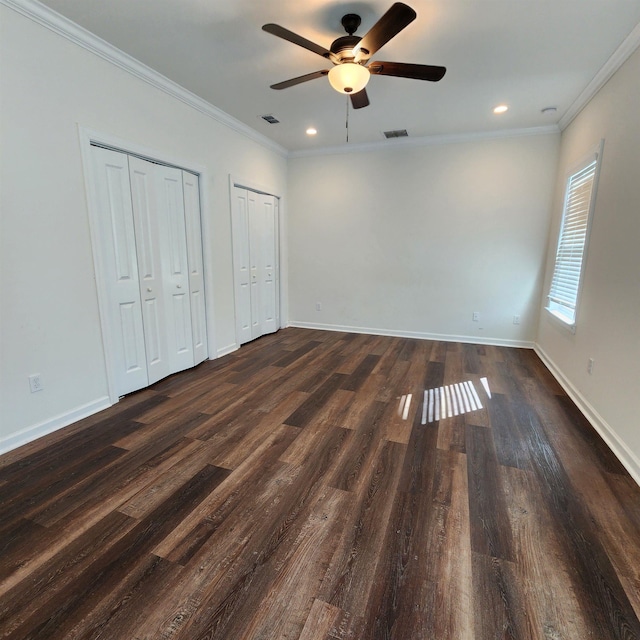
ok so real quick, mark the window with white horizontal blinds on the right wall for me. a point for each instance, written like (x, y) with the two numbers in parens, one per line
(572, 243)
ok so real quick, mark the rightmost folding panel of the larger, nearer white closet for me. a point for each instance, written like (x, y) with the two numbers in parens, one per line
(191, 191)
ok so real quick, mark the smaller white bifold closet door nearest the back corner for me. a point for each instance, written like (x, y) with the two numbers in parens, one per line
(255, 258)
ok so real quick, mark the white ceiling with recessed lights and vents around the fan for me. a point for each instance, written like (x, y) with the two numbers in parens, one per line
(530, 54)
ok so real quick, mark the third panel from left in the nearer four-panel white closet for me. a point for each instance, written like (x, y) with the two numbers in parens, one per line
(175, 269)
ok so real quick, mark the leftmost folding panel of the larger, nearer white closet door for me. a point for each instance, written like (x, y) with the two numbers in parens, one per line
(118, 258)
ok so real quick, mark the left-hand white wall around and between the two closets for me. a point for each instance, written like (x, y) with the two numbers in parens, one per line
(49, 314)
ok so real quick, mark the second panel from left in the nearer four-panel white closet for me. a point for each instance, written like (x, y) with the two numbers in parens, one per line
(147, 226)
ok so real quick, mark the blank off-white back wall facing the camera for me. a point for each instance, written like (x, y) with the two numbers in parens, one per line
(412, 240)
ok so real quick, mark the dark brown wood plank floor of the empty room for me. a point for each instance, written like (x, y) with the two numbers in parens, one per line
(294, 490)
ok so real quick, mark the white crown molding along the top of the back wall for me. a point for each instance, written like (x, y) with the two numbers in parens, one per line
(447, 138)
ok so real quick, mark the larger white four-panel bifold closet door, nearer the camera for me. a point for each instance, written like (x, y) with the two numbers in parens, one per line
(151, 249)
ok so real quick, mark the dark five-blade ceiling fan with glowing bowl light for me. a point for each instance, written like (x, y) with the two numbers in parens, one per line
(350, 55)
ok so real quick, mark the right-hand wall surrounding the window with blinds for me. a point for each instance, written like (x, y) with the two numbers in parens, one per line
(609, 316)
